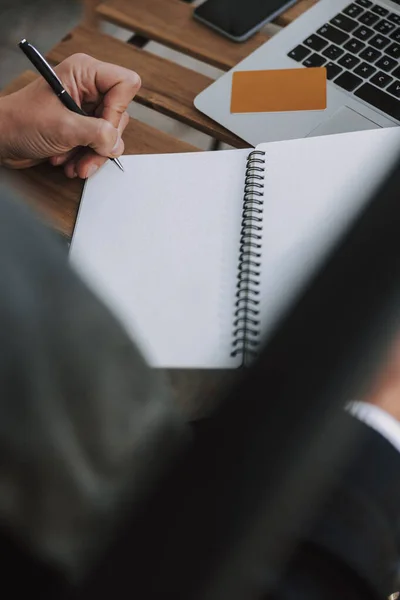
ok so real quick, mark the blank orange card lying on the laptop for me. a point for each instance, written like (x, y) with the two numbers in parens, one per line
(280, 90)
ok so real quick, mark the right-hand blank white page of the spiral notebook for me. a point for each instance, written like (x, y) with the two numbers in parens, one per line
(314, 188)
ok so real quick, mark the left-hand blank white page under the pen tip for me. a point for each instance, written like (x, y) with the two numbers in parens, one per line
(159, 243)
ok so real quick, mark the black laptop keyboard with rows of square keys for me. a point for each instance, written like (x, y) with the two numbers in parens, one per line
(360, 48)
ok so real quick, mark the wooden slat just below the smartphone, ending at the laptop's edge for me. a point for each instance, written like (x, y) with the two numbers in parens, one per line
(171, 23)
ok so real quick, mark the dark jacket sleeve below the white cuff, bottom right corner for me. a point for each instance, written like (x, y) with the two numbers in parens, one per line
(352, 549)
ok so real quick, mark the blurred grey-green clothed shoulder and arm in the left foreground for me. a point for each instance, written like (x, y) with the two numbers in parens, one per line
(85, 424)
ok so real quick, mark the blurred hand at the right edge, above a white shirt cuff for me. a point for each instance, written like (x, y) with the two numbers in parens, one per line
(385, 391)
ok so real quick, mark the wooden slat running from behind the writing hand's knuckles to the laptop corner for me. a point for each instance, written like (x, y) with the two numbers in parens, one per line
(166, 86)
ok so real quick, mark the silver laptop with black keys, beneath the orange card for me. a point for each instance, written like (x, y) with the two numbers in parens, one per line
(358, 43)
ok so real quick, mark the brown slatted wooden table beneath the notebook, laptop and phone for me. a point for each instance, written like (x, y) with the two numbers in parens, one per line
(168, 88)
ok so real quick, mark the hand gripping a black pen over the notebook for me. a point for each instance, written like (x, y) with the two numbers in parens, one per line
(35, 125)
